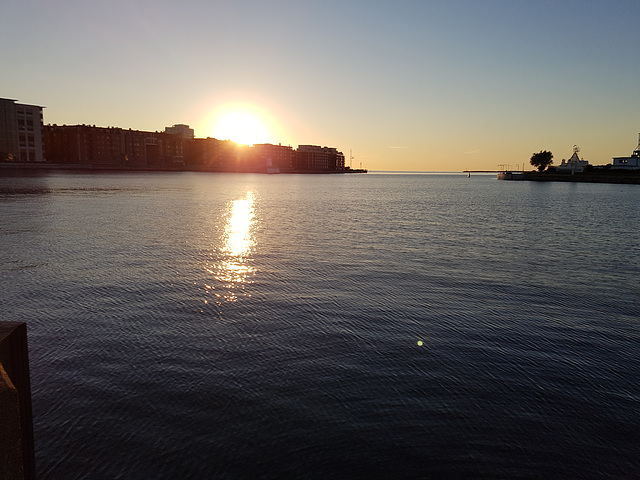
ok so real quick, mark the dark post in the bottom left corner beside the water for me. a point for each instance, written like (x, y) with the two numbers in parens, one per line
(17, 456)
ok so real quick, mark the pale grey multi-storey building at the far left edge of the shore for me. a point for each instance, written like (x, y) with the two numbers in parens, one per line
(20, 132)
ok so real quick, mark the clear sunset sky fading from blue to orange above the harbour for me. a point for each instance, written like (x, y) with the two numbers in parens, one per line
(405, 85)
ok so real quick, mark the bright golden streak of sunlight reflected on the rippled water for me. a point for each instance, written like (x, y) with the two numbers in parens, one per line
(233, 266)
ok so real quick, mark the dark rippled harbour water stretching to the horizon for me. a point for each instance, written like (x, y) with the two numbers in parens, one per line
(188, 325)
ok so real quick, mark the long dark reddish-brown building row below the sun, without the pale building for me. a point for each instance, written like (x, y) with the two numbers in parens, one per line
(115, 147)
